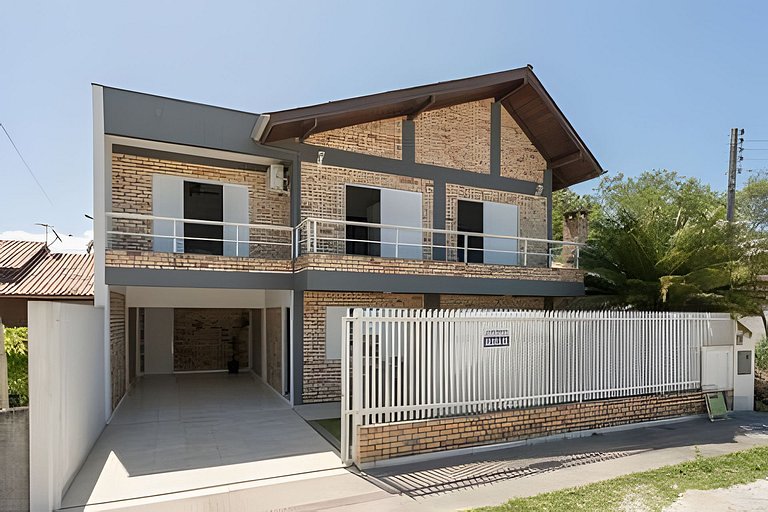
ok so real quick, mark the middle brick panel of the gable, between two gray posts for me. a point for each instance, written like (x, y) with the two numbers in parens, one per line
(458, 137)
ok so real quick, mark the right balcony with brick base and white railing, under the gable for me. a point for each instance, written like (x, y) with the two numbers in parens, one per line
(322, 244)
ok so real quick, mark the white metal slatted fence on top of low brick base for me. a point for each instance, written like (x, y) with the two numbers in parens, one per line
(402, 365)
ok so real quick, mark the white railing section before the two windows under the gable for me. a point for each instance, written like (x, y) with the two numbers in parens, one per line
(350, 237)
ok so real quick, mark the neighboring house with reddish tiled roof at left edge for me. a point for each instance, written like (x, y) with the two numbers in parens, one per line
(30, 271)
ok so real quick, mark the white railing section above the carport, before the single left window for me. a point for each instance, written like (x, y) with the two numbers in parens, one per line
(168, 234)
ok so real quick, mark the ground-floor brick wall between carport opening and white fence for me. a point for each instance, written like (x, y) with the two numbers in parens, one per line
(322, 377)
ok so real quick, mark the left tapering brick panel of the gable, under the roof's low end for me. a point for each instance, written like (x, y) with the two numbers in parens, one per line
(378, 138)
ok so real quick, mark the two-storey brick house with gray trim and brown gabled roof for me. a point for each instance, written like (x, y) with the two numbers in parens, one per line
(221, 231)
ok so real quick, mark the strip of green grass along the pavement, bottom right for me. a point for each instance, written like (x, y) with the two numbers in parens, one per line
(650, 490)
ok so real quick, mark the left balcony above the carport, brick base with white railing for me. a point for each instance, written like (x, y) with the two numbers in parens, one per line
(149, 241)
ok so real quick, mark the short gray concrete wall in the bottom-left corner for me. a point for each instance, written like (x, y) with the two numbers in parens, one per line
(14, 459)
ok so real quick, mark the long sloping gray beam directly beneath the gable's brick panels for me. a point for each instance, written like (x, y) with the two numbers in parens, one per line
(341, 158)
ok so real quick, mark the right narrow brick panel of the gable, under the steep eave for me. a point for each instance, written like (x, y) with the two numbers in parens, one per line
(519, 157)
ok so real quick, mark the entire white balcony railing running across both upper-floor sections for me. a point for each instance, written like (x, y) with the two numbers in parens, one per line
(153, 233)
